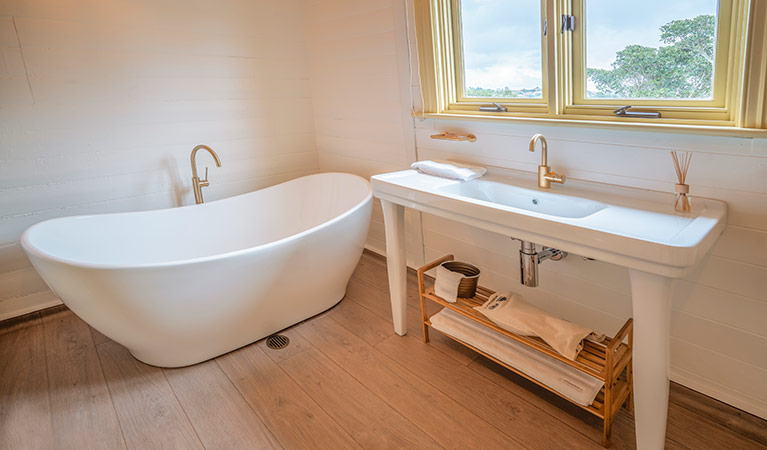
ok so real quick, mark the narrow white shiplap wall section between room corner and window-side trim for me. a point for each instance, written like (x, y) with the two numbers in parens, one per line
(356, 61)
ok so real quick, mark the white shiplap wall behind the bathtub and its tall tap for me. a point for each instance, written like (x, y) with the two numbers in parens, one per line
(101, 103)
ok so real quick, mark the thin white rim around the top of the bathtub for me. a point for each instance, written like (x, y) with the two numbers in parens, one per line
(34, 250)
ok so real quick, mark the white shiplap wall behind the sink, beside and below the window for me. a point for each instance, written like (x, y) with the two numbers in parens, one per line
(719, 323)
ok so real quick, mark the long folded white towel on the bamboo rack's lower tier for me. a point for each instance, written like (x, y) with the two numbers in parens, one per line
(568, 381)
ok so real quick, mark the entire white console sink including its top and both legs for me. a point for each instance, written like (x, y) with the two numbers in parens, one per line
(633, 228)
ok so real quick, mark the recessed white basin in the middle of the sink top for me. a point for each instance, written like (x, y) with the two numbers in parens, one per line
(529, 200)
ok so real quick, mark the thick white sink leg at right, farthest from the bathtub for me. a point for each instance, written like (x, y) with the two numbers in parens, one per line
(651, 300)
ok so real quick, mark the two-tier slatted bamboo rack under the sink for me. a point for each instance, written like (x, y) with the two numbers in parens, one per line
(609, 361)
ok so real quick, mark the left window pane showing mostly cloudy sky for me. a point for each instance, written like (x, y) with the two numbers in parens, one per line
(502, 48)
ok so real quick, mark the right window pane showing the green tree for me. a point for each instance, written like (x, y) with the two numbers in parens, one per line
(650, 49)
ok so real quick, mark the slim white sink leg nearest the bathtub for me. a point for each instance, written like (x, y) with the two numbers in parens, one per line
(394, 223)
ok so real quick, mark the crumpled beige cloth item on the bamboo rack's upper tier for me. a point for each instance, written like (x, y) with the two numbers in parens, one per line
(511, 312)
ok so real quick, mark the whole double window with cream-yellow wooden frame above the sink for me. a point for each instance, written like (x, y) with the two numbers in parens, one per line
(681, 62)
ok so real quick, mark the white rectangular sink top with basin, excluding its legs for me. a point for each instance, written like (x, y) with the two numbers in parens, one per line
(634, 228)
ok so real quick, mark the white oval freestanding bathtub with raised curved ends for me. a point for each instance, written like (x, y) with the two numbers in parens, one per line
(182, 285)
